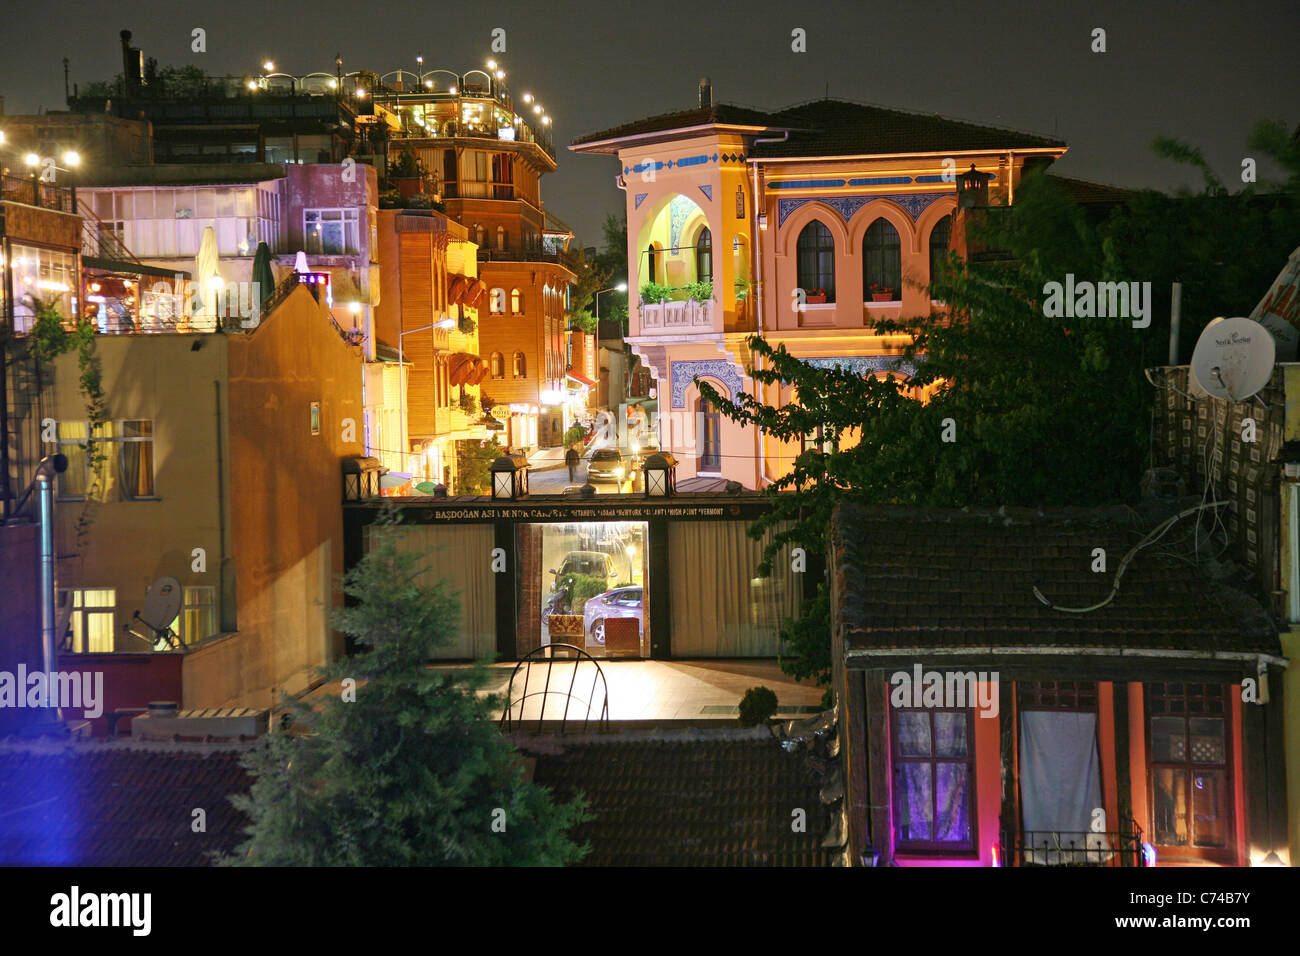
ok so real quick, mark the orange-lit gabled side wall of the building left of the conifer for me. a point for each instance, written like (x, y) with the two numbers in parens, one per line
(287, 521)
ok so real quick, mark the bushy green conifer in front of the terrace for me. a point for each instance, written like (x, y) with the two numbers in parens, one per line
(411, 773)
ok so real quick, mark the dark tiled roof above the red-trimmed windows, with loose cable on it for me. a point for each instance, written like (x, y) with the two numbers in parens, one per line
(937, 578)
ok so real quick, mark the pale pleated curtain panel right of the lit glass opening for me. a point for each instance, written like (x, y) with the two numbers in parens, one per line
(721, 608)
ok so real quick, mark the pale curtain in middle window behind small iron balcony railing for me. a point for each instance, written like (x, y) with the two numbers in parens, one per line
(1060, 788)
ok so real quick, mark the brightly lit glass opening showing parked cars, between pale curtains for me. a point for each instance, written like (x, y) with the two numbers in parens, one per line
(584, 585)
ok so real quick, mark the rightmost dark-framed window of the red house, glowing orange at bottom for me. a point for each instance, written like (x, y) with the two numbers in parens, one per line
(1190, 773)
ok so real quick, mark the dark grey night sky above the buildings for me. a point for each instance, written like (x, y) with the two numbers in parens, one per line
(1199, 71)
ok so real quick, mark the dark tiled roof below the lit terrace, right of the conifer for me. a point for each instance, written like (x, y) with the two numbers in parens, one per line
(708, 802)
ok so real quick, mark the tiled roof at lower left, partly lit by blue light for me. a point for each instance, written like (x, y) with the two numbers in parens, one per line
(118, 804)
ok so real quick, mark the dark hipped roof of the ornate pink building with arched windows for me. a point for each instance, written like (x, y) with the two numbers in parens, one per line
(839, 128)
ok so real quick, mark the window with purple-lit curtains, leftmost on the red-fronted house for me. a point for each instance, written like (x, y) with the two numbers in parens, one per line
(934, 776)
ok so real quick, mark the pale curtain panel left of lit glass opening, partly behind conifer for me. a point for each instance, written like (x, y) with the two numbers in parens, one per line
(462, 556)
